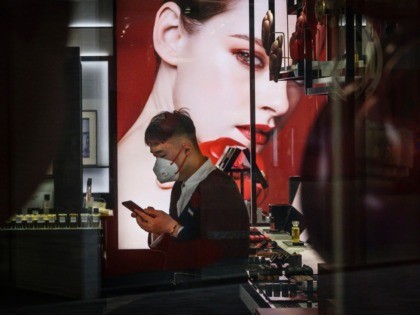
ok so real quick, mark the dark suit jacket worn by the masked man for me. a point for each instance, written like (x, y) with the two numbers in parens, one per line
(215, 226)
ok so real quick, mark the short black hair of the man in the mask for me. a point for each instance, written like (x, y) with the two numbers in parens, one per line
(168, 124)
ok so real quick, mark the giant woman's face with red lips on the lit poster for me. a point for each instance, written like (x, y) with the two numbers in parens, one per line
(213, 79)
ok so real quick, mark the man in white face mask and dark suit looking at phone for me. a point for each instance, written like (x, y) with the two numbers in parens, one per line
(208, 226)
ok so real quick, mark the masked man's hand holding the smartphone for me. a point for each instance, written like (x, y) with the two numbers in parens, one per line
(154, 221)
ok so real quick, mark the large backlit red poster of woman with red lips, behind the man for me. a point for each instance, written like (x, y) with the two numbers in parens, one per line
(171, 56)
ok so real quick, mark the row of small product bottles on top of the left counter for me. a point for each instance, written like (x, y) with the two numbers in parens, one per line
(55, 221)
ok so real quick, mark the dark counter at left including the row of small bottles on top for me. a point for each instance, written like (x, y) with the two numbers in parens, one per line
(57, 254)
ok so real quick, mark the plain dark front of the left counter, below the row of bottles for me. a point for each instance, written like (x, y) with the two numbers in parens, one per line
(62, 262)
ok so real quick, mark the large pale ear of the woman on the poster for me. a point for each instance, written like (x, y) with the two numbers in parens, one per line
(167, 32)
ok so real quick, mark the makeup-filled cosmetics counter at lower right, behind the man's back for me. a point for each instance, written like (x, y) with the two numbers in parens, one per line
(282, 274)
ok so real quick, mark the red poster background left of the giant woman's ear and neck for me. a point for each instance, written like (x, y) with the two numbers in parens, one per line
(136, 61)
